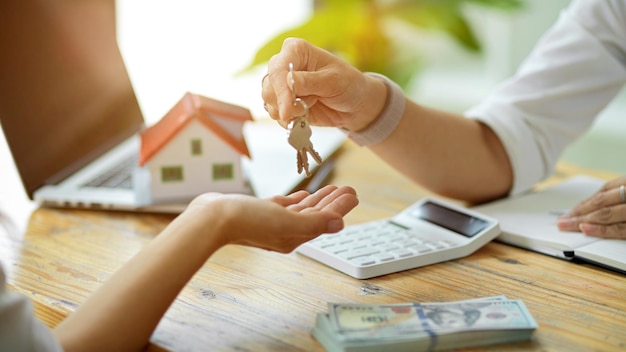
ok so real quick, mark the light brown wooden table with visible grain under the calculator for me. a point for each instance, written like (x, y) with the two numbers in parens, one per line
(248, 299)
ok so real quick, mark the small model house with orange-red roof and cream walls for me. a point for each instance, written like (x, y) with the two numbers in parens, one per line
(196, 147)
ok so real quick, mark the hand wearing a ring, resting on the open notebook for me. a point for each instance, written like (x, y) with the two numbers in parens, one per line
(601, 215)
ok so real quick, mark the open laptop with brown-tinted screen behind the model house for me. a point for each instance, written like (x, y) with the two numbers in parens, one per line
(71, 119)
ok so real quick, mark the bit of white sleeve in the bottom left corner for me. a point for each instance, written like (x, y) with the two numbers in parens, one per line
(19, 328)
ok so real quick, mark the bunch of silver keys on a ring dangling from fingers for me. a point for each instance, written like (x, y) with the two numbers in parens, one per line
(300, 133)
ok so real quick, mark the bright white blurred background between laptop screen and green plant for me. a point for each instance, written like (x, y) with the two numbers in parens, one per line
(171, 47)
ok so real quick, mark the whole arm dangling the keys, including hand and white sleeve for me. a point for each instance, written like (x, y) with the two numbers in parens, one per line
(519, 131)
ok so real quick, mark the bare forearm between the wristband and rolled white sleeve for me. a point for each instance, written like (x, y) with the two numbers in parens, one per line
(448, 154)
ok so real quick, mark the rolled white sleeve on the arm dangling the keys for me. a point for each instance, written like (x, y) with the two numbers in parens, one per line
(575, 70)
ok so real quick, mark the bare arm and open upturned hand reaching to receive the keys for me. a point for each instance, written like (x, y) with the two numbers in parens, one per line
(122, 314)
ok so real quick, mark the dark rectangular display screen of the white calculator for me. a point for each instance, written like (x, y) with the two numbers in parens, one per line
(461, 223)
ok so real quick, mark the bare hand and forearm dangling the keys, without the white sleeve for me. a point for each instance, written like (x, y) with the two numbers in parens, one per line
(445, 152)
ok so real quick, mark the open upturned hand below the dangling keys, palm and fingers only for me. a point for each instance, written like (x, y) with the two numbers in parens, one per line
(281, 223)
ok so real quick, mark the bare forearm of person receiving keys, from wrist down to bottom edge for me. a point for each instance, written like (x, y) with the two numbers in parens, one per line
(122, 314)
